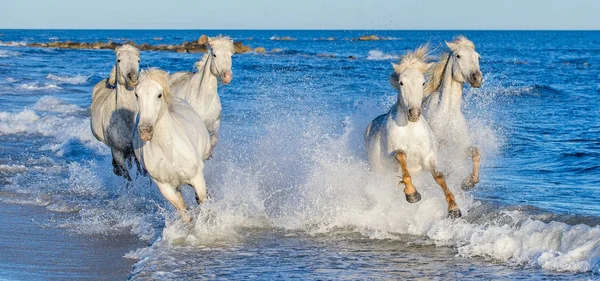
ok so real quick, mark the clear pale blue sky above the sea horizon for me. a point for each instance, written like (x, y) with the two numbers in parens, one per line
(301, 14)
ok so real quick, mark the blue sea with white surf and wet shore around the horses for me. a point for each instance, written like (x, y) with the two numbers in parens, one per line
(293, 196)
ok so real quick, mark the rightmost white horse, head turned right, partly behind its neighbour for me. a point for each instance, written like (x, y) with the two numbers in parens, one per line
(443, 106)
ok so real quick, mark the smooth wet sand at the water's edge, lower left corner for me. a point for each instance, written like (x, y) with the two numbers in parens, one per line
(32, 251)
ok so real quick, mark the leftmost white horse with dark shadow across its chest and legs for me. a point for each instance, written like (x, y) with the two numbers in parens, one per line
(113, 108)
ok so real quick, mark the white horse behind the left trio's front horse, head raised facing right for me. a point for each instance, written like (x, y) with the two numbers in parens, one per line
(200, 89)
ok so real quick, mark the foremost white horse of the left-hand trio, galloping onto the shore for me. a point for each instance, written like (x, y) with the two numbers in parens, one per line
(171, 140)
